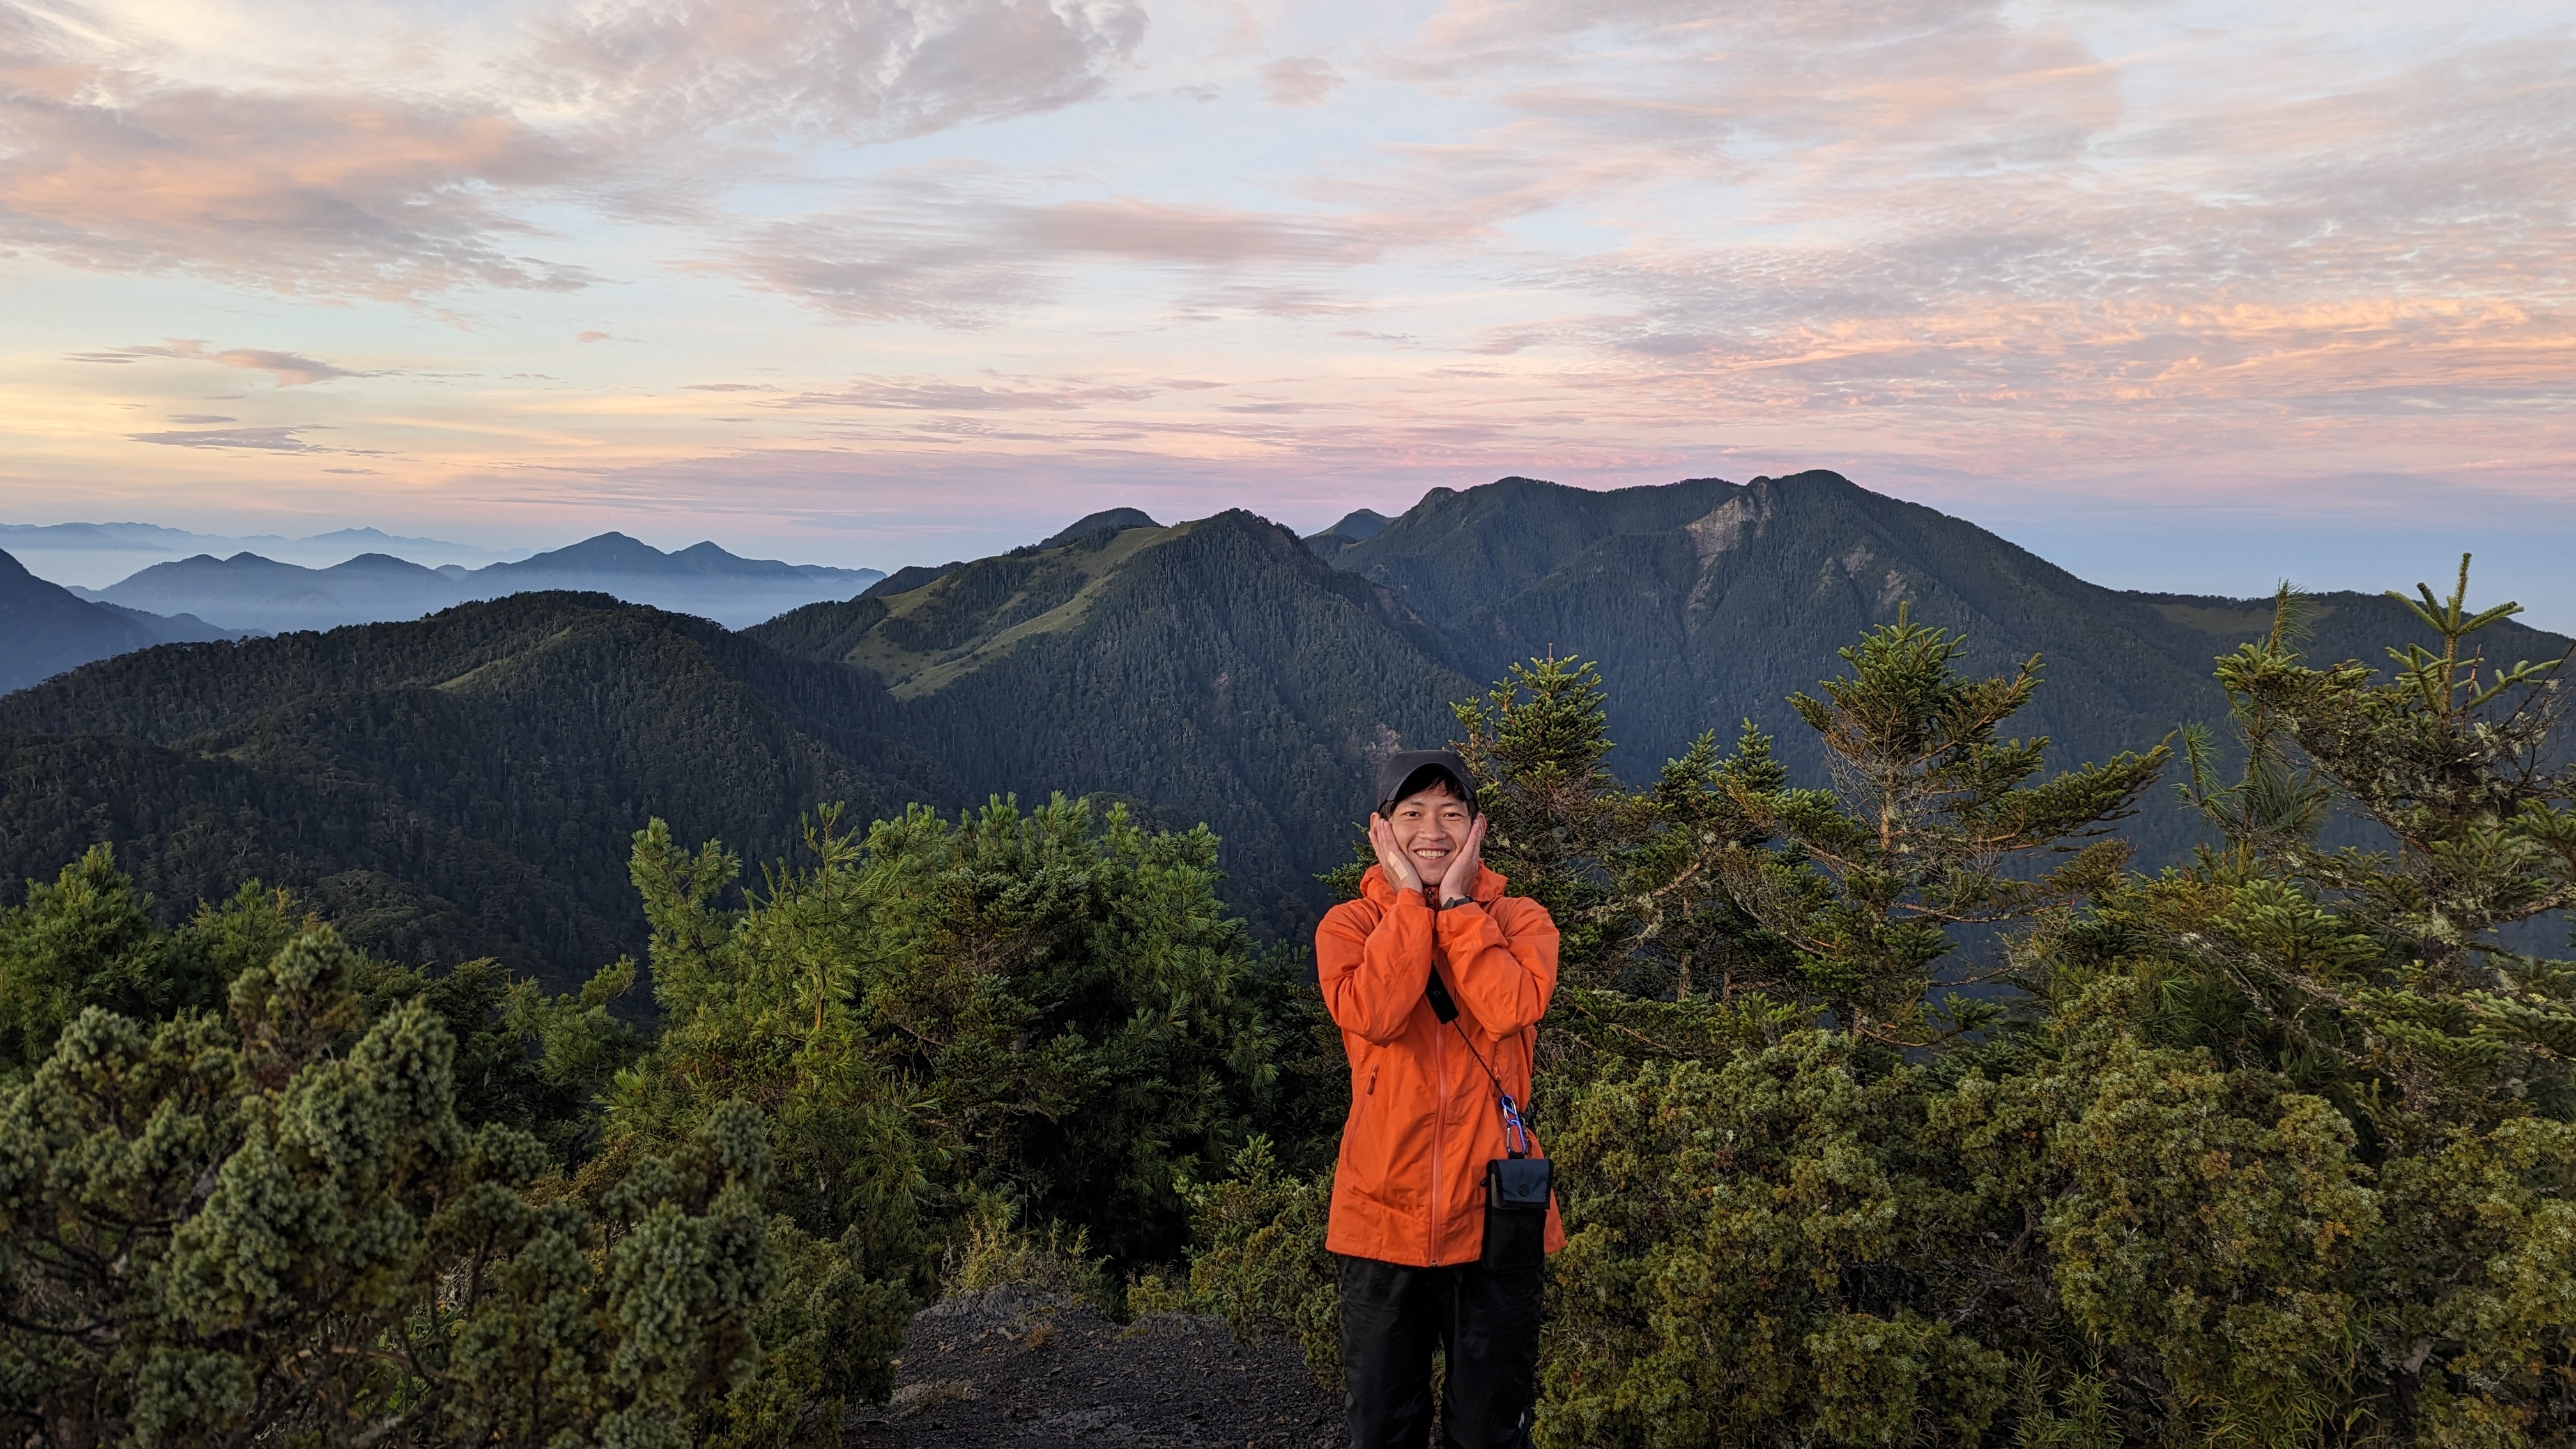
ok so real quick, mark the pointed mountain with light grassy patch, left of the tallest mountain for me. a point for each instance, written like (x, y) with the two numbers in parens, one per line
(1209, 672)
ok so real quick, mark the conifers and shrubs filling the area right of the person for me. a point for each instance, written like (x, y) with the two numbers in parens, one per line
(1905, 1113)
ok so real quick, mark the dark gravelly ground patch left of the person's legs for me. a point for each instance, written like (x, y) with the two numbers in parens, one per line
(1011, 1368)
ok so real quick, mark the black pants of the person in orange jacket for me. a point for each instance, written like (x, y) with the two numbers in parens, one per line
(1392, 1316)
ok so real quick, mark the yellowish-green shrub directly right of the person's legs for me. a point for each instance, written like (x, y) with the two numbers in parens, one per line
(1753, 1257)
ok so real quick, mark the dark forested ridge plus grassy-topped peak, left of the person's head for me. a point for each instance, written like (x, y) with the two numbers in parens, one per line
(468, 783)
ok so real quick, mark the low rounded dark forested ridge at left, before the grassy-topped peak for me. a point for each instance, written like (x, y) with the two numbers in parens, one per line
(468, 783)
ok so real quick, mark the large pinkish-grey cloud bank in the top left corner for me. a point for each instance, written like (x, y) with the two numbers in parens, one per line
(380, 192)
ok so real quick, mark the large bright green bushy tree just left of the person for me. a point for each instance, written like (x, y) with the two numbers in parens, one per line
(1037, 1009)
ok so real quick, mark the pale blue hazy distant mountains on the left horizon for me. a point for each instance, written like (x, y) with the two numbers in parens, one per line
(254, 592)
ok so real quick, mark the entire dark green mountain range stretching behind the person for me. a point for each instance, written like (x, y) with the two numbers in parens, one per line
(468, 783)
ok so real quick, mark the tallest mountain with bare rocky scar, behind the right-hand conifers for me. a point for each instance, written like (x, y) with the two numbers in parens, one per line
(1709, 602)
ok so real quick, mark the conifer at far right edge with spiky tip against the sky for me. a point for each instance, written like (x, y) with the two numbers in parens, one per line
(2461, 764)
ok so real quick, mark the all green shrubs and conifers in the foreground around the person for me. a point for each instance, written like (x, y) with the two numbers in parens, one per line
(1889, 1107)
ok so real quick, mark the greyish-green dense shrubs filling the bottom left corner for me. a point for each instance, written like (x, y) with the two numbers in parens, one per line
(277, 1226)
